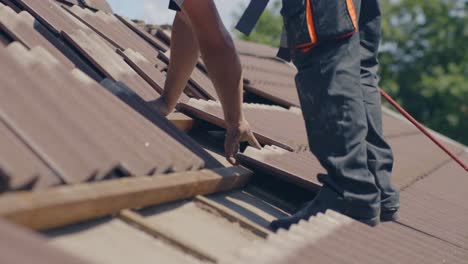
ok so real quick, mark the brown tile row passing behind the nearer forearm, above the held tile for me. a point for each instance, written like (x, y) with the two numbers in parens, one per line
(272, 125)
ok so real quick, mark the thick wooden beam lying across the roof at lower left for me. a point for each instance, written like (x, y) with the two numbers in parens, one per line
(67, 205)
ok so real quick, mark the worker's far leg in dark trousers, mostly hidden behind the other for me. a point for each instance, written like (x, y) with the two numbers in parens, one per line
(379, 153)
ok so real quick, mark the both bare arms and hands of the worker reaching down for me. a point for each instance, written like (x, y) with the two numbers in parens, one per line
(223, 65)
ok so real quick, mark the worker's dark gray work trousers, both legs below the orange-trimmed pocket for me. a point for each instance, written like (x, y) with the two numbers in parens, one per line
(338, 87)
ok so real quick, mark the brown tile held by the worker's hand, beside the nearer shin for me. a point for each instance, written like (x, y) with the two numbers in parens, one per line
(300, 168)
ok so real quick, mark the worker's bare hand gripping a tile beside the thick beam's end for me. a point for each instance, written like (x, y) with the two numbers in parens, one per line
(235, 134)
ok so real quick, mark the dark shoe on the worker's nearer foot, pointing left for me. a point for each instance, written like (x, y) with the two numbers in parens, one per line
(325, 200)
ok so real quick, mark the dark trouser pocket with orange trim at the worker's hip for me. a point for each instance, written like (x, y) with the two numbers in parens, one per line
(310, 22)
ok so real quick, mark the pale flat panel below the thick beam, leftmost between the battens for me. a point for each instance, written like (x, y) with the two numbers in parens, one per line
(112, 241)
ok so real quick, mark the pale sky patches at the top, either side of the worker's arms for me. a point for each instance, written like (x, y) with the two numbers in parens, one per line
(156, 12)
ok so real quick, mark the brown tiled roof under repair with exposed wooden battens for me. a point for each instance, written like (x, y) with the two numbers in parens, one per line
(93, 175)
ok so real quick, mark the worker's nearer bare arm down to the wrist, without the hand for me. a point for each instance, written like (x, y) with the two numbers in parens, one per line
(219, 54)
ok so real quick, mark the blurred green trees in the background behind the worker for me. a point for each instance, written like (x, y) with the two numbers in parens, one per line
(424, 58)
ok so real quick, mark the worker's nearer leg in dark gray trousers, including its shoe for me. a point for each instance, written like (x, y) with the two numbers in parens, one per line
(332, 100)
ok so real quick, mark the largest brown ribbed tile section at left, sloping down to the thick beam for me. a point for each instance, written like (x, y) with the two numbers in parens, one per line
(70, 122)
